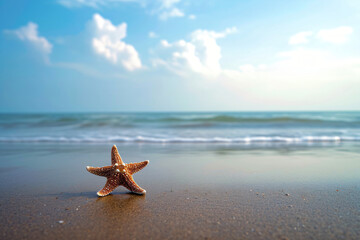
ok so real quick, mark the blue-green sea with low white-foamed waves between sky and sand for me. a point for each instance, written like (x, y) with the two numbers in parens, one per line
(226, 127)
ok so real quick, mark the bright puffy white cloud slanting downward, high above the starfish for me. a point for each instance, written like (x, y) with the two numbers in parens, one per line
(107, 42)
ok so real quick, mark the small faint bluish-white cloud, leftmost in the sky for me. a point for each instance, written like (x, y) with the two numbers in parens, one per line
(29, 33)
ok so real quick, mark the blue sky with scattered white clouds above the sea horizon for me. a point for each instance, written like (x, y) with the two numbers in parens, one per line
(178, 55)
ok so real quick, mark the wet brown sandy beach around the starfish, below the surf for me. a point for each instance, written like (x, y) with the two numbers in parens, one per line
(193, 191)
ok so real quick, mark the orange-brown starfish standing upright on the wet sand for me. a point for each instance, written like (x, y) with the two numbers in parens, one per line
(118, 174)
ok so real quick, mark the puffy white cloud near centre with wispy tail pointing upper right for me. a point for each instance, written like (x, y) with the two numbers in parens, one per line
(201, 54)
